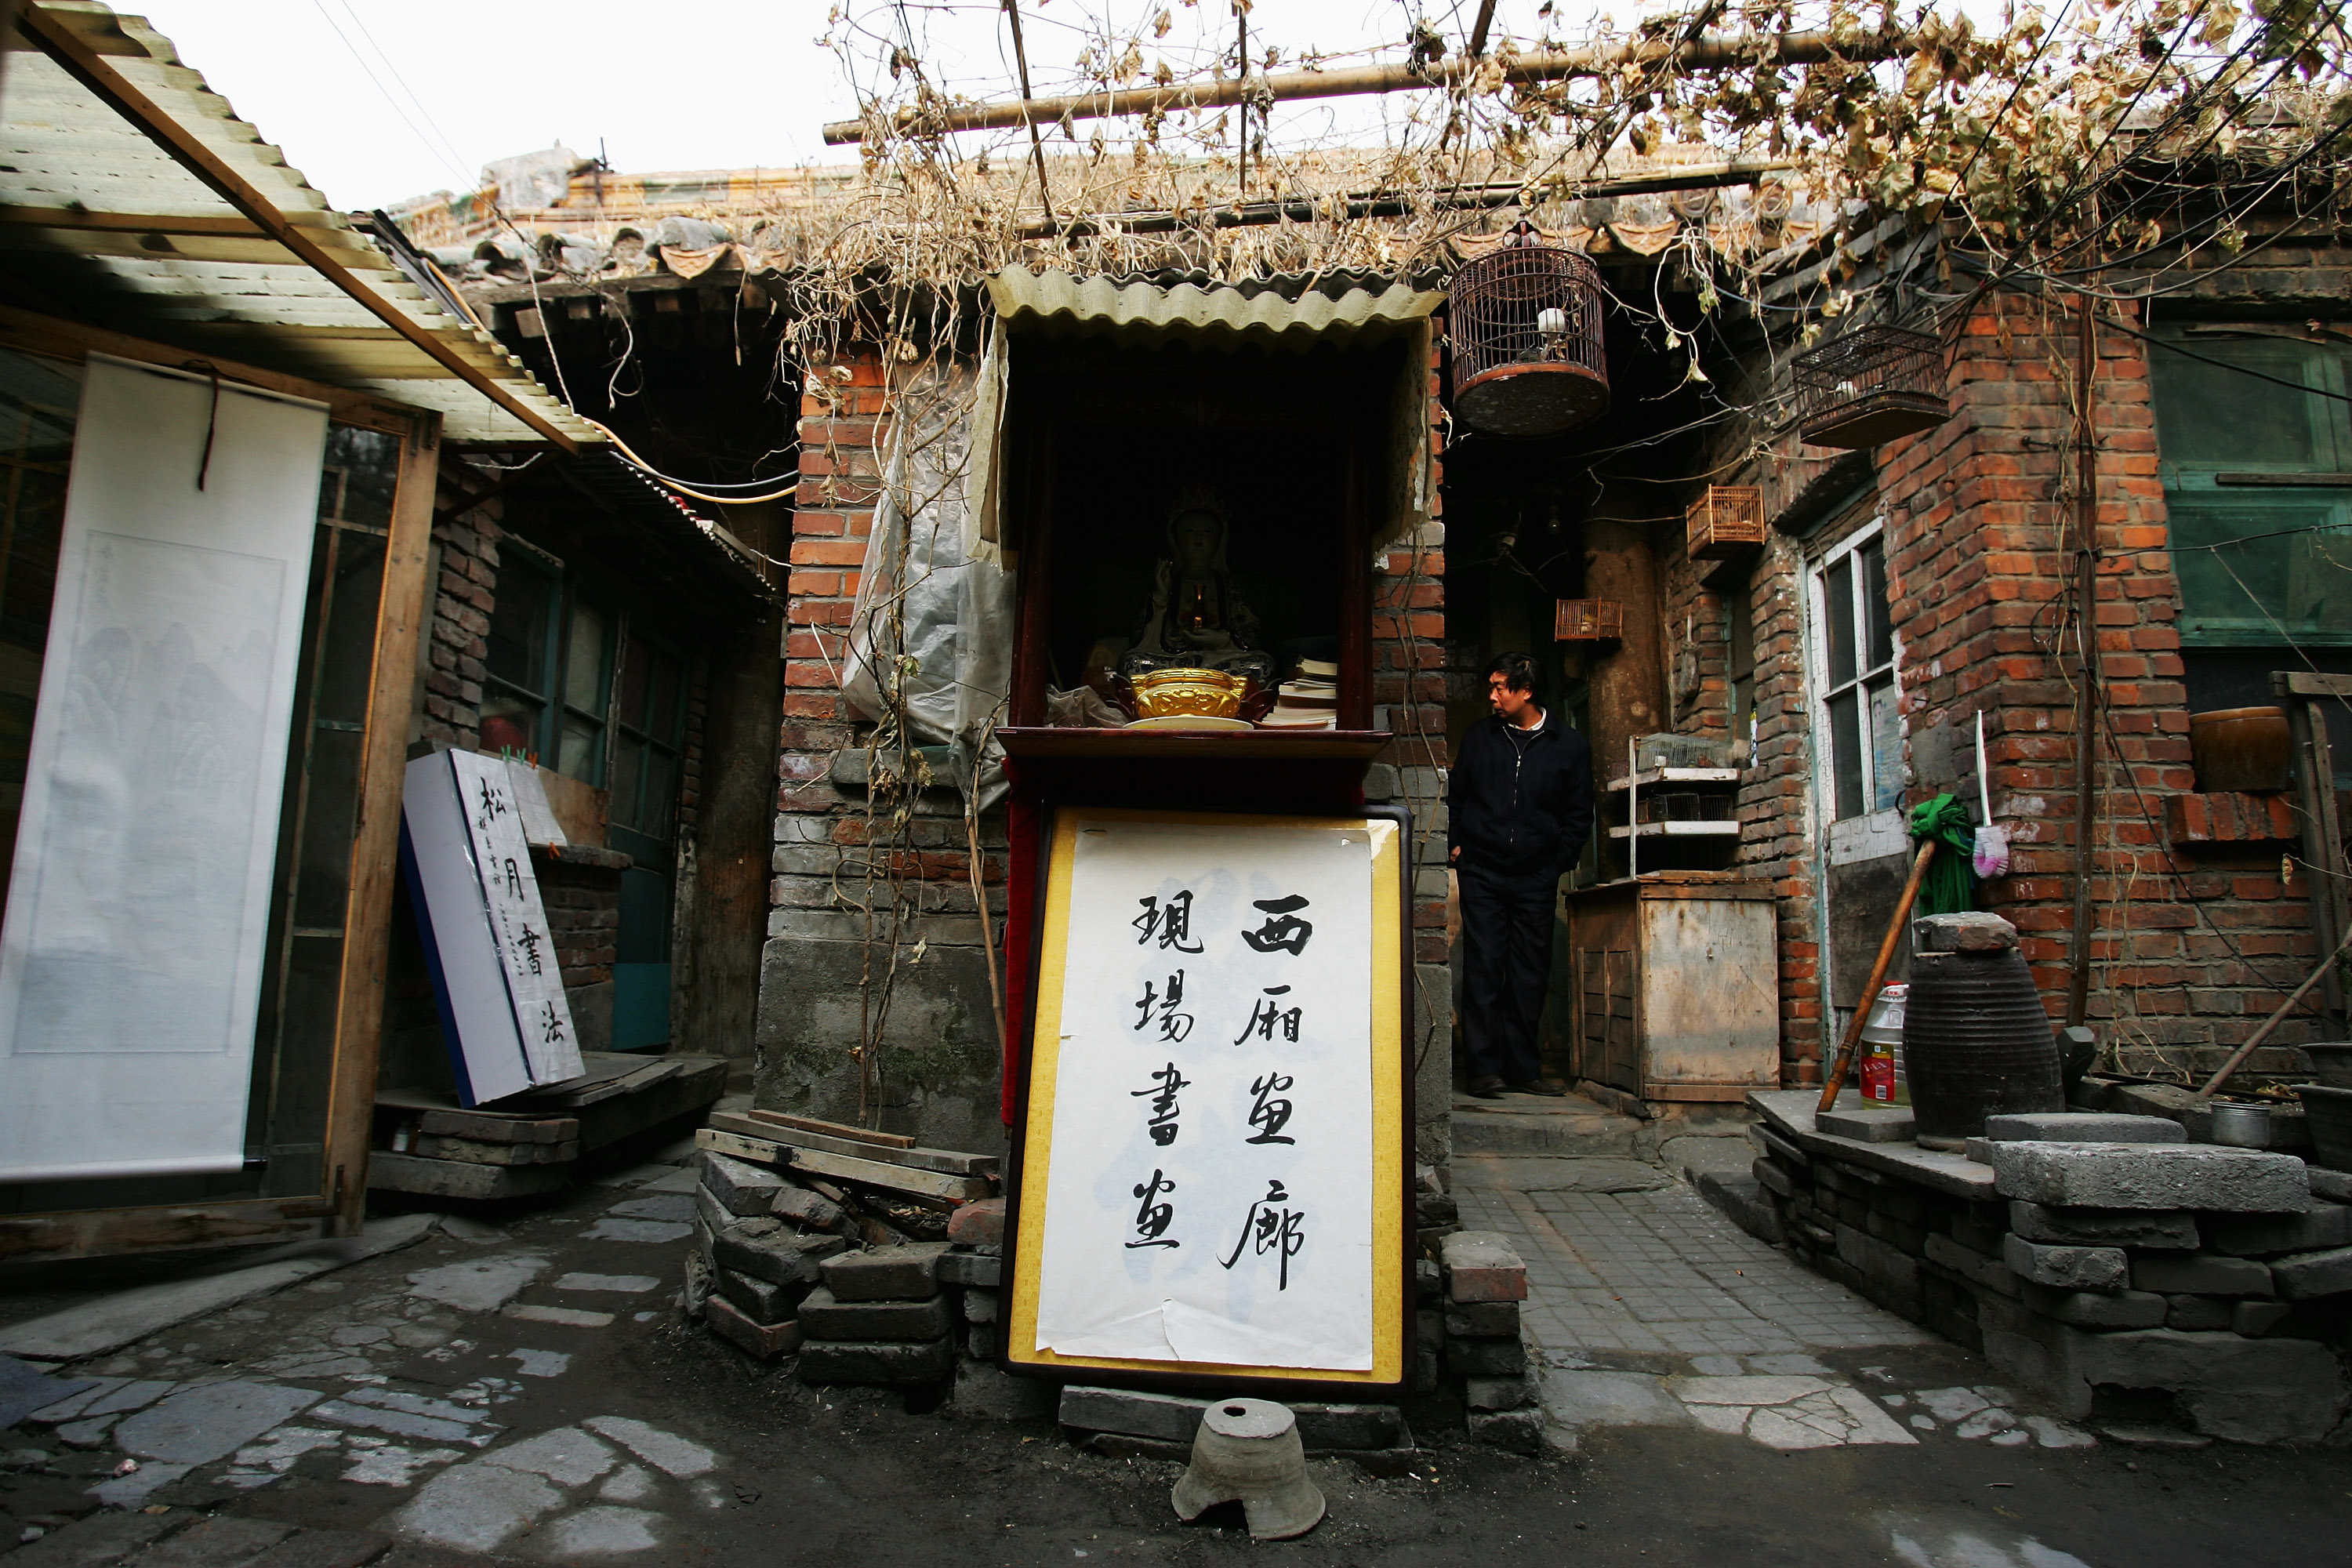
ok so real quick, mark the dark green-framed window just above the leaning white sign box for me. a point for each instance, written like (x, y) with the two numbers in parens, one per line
(549, 671)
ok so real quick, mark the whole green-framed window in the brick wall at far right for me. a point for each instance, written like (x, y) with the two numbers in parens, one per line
(2254, 436)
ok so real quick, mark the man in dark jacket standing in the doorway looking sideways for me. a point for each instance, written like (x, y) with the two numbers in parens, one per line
(1518, 817)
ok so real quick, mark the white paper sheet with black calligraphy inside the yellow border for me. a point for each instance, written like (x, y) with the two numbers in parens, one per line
(1210, 1195)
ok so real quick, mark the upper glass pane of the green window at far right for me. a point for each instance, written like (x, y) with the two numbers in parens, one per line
(2219, 417)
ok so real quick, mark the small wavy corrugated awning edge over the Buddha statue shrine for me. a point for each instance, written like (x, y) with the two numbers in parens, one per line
(1215, 309)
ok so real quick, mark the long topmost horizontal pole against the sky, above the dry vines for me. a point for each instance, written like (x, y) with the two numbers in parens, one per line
(1523, 69)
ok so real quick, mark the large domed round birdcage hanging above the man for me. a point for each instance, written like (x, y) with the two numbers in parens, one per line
(1528, 340)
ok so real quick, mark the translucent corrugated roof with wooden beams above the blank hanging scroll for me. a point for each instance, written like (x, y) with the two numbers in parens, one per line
(102, 222)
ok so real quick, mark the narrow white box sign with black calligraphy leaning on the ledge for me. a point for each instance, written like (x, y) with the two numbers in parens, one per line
(495, 974)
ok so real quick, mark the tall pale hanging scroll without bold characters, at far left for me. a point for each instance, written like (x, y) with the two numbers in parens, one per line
(140, 897)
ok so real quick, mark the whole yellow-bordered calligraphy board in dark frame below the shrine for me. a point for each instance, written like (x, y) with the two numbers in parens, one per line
(1212, 1167)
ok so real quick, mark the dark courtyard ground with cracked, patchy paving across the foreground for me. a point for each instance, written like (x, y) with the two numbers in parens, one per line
(526, 1393)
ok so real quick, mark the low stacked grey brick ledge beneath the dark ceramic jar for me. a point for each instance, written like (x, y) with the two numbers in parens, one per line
(2137, 1278)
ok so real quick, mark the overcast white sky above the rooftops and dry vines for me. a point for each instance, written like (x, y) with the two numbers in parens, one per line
(686, 86)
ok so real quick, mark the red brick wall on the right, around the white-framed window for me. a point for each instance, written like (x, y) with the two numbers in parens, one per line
(1979, 537)
